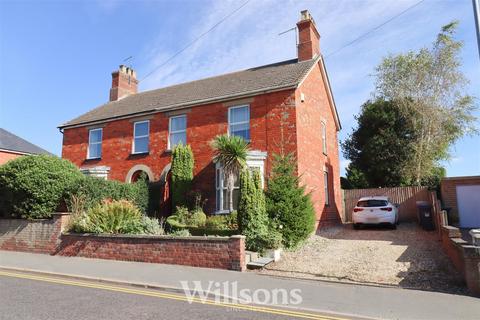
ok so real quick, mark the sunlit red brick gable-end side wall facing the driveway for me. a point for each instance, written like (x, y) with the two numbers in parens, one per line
(312, 161)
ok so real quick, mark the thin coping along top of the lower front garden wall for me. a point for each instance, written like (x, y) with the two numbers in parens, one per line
(152, 237)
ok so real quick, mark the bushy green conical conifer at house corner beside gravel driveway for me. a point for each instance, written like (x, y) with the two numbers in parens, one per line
(290, 208)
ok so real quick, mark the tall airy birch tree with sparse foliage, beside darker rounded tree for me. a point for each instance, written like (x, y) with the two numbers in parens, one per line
(430, 82)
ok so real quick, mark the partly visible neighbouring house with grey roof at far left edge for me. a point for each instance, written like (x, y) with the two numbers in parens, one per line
(12, 146)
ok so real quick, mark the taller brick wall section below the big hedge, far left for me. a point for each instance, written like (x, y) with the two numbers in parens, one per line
(40, 236)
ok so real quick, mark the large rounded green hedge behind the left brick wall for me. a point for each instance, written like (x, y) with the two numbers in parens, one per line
(33, 187)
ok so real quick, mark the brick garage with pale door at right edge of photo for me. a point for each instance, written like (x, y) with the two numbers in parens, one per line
(461, 195)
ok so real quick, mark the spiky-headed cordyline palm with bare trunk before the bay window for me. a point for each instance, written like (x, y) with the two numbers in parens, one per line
(231, 153)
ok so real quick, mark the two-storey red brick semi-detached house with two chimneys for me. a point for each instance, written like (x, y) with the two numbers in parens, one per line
(282, 107)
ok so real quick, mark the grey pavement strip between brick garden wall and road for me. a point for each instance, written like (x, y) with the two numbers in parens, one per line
(346, 300)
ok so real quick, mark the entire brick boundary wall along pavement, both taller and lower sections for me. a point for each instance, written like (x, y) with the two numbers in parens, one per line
(47, 236)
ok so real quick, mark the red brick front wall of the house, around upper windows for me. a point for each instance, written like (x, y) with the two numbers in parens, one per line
(272, 126)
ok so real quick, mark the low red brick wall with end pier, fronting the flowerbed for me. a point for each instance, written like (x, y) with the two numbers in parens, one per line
(212, 252)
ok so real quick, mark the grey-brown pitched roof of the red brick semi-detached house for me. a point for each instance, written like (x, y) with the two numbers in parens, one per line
(251, 81)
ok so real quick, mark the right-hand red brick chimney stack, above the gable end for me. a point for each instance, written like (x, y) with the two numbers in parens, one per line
(308, 36)
